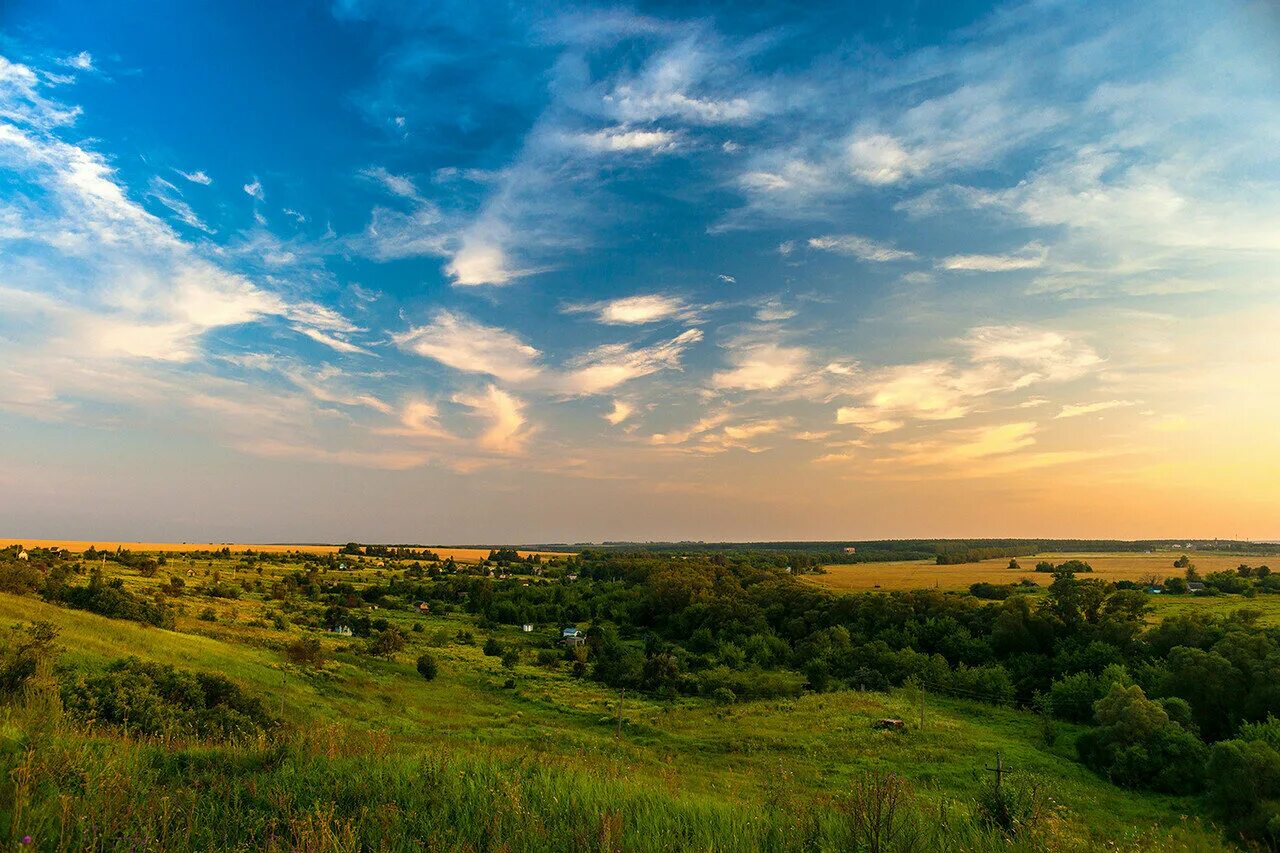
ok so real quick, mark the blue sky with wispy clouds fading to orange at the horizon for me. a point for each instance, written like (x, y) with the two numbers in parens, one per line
(476, 272)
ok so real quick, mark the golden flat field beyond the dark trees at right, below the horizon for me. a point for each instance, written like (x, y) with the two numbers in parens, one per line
(924, 574)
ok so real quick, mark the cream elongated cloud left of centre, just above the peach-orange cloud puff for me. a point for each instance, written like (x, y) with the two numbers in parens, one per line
(459, 343)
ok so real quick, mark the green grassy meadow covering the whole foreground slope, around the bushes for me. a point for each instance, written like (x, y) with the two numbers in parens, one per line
(518, 758)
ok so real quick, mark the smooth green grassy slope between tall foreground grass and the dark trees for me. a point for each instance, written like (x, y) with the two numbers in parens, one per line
(752, 752)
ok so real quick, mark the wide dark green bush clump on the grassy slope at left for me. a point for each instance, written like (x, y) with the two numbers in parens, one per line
(157, 700)
